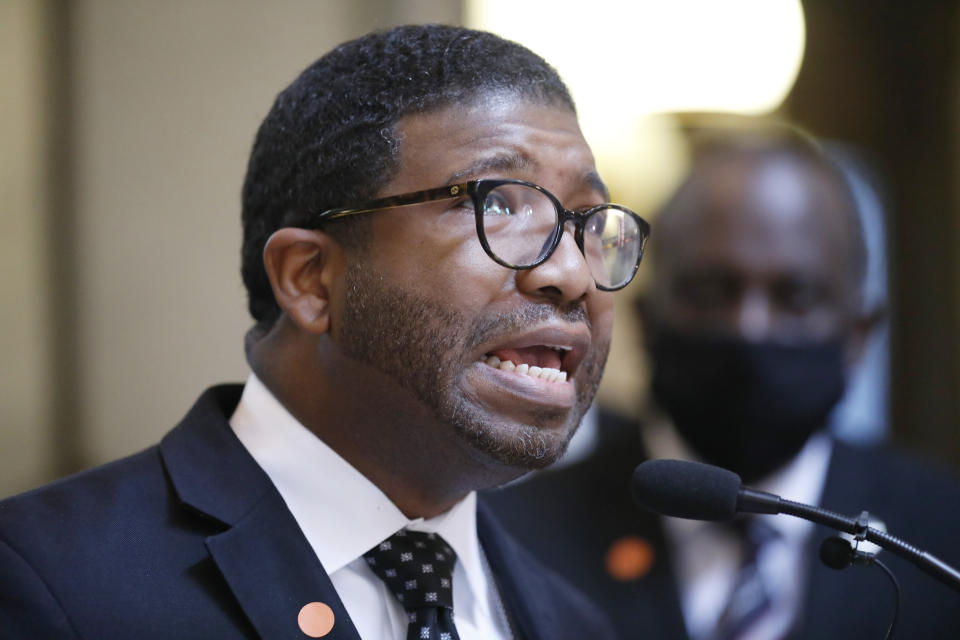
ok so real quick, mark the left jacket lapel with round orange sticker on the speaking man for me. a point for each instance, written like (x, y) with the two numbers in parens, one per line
(262, 554)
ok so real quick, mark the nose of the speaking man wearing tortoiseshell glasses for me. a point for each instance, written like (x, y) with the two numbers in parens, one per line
(564, 277)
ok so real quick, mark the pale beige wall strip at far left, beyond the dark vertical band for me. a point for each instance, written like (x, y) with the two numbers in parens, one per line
(25, 366)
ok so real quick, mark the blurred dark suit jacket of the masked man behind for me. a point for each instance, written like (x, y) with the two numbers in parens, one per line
(577, 513)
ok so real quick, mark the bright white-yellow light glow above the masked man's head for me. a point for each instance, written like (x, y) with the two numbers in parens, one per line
(627, 59)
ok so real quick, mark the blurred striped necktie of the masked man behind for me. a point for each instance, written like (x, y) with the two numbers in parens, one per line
(750, 597)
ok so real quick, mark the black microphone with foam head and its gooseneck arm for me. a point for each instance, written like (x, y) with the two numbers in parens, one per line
(698, 491)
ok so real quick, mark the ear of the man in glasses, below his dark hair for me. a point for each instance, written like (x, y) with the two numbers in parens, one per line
(303, 266)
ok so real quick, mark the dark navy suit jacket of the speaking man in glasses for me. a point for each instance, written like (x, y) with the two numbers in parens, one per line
(189, 539)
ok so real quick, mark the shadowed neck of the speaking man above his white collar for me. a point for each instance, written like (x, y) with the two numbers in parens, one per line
(376, 425)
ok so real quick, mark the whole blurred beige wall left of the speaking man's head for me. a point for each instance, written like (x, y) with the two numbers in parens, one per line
(125, 130)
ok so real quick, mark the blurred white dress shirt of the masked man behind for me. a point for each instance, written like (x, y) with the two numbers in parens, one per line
(707, 554)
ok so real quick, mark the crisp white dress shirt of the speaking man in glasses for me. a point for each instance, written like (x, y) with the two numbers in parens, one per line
(342, 515)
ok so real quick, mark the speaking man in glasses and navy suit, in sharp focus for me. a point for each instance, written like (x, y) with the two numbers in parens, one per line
(407, 351)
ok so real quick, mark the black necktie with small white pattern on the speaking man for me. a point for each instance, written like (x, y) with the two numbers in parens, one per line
(418, 569)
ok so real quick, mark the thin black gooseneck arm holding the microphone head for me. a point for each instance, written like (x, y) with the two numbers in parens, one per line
(753, 501)
